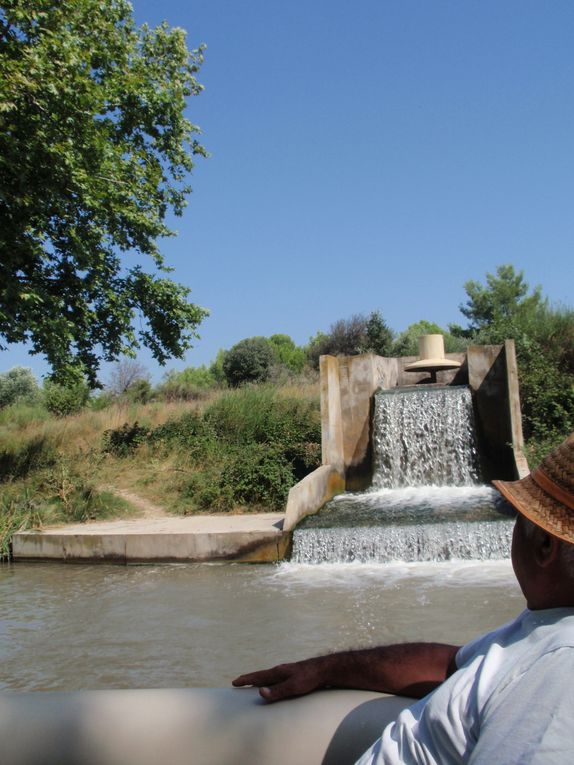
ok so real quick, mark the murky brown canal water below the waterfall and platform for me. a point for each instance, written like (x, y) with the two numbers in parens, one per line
(72, 627)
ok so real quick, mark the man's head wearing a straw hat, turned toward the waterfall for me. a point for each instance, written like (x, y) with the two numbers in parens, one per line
(543, 540)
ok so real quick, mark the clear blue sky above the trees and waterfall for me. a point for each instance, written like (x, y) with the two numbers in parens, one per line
(369, 154)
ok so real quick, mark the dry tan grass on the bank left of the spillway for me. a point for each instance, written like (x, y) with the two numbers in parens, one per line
(71, 454)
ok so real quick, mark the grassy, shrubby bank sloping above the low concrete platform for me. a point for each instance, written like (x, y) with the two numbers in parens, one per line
(233, 451)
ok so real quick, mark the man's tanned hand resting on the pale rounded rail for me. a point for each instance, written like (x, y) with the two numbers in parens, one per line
(286, 680)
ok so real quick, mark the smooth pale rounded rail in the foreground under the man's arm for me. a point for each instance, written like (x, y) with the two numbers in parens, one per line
(190, 727)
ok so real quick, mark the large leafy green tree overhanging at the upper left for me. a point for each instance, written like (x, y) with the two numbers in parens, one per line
(94, 153)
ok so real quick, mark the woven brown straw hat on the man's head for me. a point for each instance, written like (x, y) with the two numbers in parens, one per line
(546, 496)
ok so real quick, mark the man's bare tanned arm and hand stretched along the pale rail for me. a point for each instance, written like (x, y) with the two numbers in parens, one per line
(410, 669)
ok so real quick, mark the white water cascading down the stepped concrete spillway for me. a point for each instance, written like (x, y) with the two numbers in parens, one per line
(426, 502)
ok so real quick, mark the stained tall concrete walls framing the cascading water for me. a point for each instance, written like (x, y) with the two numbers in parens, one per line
(348, 385)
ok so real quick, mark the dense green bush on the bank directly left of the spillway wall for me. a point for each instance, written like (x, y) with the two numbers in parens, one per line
(247, 449)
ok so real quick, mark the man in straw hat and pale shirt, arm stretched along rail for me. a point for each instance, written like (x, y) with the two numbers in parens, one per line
(506, 697)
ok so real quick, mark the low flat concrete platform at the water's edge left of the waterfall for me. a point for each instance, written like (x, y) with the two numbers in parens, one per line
(253, 538)
